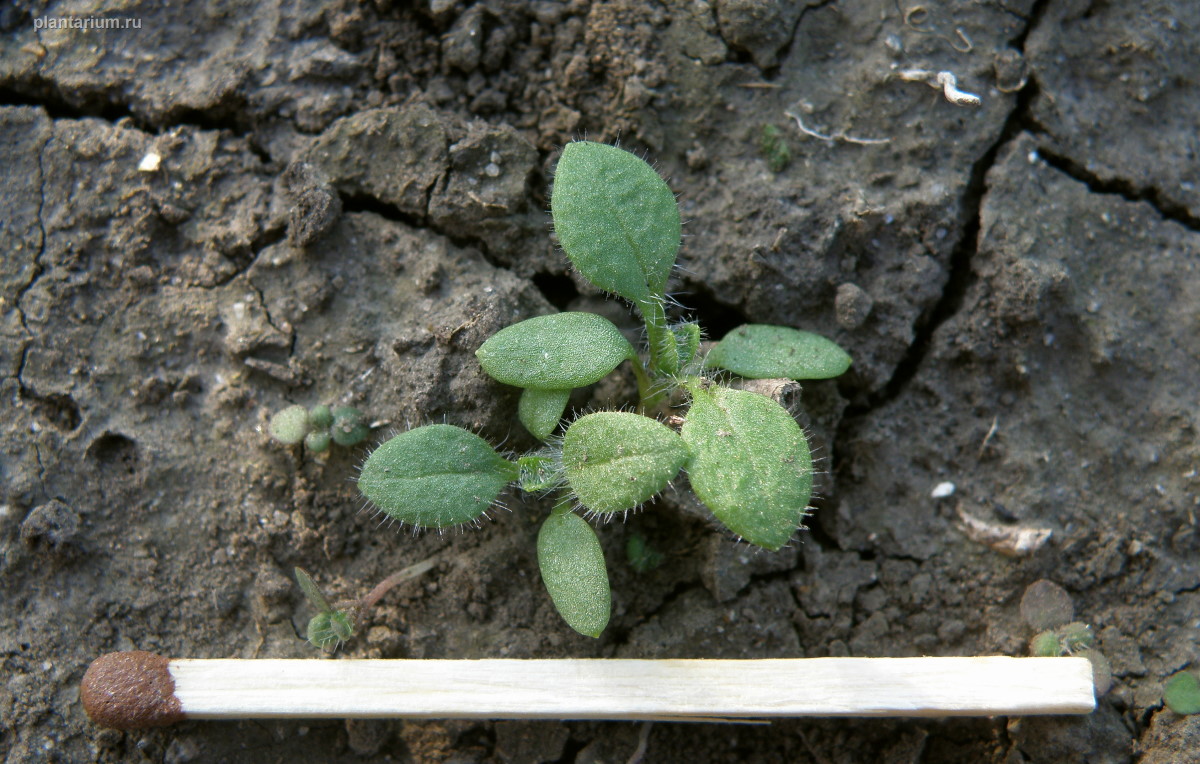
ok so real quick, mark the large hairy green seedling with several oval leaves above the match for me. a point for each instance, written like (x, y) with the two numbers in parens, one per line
(745, 455)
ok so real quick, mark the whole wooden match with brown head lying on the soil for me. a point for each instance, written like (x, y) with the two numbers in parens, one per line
(133, 690)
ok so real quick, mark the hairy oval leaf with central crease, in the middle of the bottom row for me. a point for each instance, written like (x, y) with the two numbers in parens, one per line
(615, 460)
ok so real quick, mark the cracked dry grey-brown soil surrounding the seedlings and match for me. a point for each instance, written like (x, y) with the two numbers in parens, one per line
(351, 197)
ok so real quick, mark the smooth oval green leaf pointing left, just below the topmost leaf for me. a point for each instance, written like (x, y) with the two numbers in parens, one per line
(555, 352)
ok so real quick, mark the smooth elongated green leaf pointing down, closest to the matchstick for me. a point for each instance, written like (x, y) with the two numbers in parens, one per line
(574, 573)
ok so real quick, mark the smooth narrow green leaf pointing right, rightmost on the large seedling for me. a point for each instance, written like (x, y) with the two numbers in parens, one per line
(763, 352)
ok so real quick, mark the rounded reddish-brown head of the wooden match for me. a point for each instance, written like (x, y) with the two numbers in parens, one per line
(130, 691)
